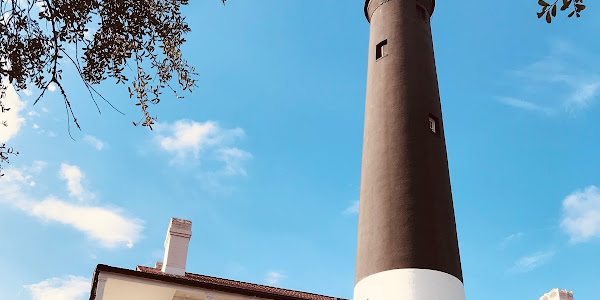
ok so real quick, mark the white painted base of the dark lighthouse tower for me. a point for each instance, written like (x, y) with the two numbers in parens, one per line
(409, 284)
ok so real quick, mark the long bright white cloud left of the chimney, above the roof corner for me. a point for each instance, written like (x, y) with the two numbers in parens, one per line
(108, 226)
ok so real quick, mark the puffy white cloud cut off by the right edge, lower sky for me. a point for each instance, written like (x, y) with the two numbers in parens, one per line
(581, 214)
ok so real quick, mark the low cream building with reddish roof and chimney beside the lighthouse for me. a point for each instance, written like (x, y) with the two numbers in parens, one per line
(168, 280)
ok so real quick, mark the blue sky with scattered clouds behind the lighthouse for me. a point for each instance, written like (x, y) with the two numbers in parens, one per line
(264, 156)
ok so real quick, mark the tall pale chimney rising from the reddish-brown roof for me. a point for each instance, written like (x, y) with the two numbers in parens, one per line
(176, 244)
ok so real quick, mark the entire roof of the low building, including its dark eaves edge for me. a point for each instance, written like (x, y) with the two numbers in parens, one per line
(214, 283)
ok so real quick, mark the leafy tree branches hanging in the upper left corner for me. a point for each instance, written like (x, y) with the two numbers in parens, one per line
(136, 39)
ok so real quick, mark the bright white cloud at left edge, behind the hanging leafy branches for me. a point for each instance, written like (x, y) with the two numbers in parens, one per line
(12, 117)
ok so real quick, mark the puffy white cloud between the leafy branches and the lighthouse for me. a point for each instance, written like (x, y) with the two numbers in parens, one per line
(191, 142)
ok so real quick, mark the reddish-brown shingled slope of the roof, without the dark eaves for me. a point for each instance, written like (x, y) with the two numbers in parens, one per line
(233, 286)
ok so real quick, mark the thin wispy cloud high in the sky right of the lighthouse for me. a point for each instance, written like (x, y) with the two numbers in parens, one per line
(574, 87)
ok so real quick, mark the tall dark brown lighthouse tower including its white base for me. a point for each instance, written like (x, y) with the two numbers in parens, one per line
(407, 247)
